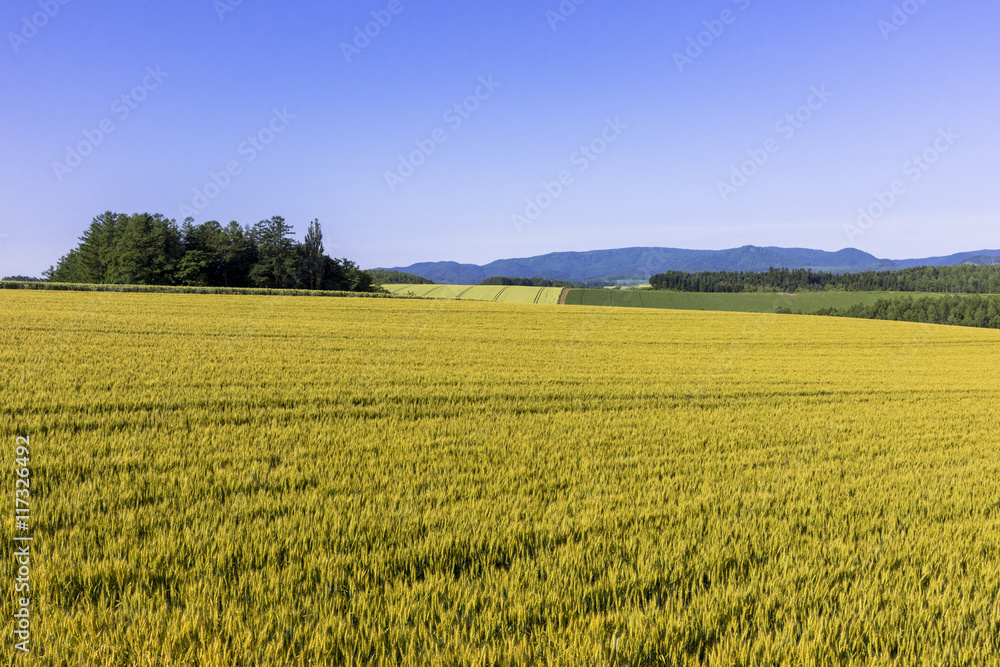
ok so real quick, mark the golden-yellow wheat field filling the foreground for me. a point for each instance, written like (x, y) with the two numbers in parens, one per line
(239, 480)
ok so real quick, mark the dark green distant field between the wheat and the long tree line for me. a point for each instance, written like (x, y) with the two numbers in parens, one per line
(747, 302)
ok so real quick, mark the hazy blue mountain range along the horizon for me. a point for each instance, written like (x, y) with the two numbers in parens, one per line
(641, 263)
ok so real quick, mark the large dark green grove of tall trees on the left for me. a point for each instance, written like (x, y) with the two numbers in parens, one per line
(145, 249)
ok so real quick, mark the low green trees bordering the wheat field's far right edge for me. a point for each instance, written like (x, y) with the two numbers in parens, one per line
(970, 311)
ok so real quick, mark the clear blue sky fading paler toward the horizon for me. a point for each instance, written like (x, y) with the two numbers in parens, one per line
(578, 126)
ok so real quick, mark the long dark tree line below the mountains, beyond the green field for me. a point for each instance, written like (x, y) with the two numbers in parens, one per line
(962, 279)
